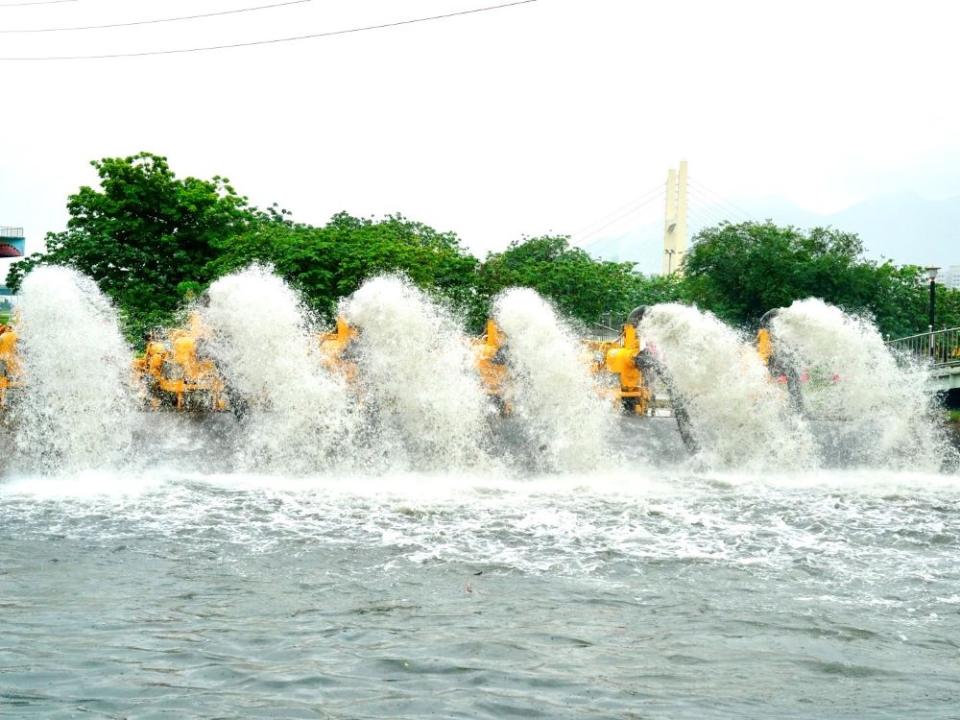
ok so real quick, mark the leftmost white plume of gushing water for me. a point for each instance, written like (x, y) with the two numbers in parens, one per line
(77, 406)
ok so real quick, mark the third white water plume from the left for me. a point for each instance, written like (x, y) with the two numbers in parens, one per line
(419, 382)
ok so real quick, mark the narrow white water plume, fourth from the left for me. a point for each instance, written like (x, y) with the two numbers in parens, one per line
(551, 390)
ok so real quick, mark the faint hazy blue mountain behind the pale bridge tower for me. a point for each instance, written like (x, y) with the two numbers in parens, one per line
(902, 227)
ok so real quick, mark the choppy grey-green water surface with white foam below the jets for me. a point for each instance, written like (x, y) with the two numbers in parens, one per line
(637, 594)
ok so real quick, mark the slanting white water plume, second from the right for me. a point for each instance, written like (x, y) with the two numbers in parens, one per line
(739, 417)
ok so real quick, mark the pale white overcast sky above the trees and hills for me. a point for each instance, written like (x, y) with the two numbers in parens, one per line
(535, 118)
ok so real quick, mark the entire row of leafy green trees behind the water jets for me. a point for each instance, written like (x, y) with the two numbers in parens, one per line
(153, 241)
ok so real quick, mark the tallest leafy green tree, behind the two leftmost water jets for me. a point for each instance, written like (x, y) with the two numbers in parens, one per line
(145, 236)
